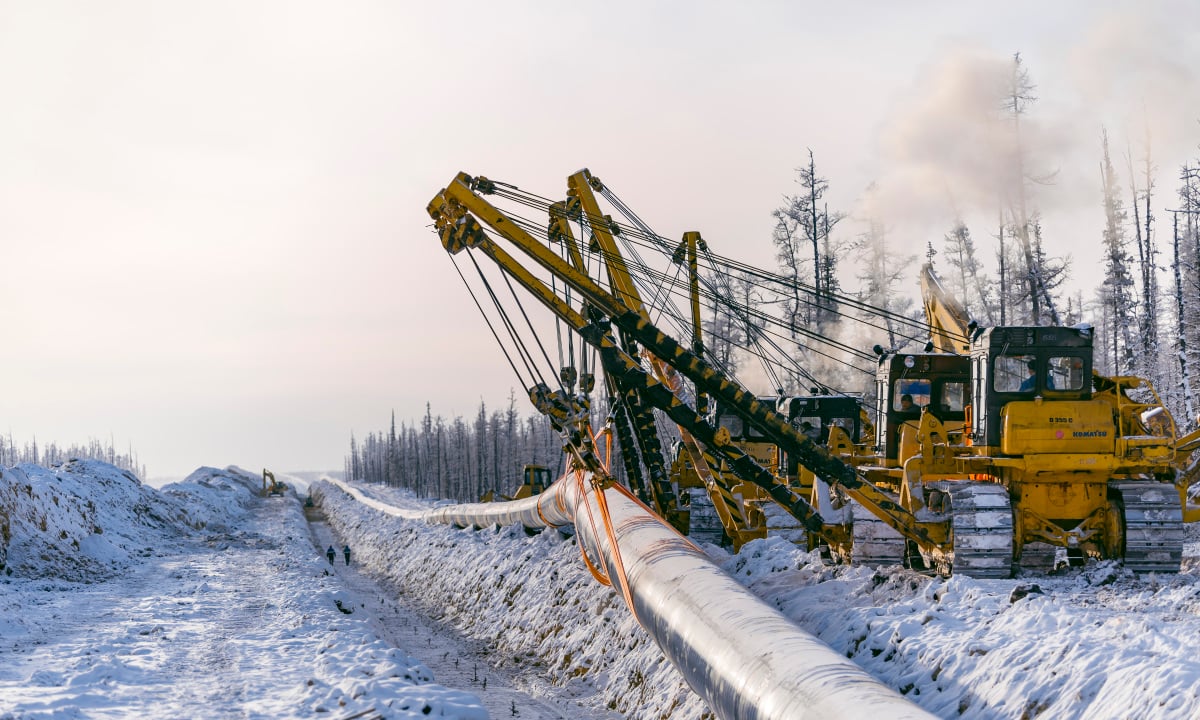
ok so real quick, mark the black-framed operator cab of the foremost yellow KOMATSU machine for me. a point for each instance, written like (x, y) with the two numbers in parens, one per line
(1036, 365)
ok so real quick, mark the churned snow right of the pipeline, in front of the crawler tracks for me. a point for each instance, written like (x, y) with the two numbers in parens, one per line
(1097, 643)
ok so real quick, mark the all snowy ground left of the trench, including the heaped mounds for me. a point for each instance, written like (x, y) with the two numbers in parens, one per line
(200, 601)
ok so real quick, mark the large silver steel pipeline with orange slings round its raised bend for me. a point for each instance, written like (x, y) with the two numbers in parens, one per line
(742, 657)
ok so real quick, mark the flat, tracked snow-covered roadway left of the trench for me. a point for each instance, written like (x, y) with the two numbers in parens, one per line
(238, 622)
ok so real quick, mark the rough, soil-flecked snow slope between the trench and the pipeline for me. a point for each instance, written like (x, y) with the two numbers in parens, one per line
(529, 597)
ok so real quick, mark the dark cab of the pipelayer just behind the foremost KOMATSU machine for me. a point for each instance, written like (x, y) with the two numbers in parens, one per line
(908, 383)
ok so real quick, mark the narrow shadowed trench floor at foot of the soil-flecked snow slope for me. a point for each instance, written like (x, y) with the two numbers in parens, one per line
(455, 661)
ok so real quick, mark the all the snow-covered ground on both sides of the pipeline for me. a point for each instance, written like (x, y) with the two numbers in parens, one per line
(205, 599)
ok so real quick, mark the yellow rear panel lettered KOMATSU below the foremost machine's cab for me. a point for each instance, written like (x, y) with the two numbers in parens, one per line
(1037, 428)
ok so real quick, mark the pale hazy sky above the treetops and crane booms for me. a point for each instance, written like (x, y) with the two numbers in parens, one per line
(213, 214)
